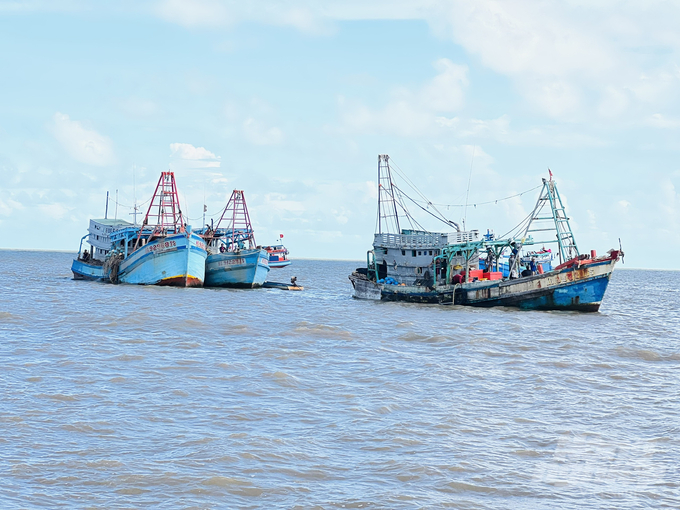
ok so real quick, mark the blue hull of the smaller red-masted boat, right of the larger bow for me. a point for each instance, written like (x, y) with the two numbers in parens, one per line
(247, 268)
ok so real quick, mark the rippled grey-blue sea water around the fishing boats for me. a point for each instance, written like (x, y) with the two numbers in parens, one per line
(120, 396)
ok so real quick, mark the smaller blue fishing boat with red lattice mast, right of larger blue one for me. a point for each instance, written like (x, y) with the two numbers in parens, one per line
(234, 259)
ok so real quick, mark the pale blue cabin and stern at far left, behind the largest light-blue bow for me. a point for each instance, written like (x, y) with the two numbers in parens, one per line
(89, 264)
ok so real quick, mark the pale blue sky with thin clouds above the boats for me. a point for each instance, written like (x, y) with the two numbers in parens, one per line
(292, 101)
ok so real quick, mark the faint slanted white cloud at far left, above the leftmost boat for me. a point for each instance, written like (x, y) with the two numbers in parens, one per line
(83, 144)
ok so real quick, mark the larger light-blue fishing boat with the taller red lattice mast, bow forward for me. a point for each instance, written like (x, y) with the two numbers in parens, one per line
(163, 250)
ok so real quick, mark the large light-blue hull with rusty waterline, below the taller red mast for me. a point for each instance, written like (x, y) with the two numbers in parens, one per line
(176, 260)
